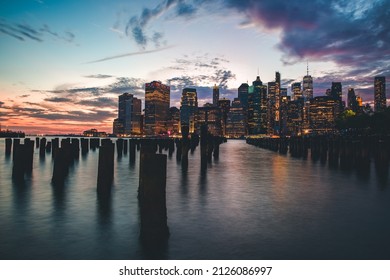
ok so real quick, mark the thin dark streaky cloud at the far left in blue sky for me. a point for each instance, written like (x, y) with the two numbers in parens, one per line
(23, 32)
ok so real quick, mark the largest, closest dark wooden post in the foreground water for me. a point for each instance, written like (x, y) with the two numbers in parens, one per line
(152, 195)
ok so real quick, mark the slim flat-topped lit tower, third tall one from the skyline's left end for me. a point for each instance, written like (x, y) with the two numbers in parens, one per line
(188, 109)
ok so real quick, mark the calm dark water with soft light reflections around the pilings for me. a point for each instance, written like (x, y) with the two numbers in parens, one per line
(250, 204)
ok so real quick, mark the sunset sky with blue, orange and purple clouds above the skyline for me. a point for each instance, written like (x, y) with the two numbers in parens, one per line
(64, 63)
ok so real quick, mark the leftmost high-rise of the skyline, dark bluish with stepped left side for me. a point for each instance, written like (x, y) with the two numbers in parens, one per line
(129, 111)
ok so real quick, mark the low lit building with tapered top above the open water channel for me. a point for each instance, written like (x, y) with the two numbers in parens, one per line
(236, 120)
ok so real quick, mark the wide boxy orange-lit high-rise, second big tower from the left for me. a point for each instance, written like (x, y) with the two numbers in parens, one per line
(157, 99)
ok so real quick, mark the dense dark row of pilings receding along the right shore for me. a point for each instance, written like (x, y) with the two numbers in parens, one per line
(337, 149)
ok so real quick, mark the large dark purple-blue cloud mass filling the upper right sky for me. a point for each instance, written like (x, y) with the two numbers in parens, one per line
(352, 33)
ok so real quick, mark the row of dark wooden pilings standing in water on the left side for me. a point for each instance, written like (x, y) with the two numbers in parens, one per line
(152, 167)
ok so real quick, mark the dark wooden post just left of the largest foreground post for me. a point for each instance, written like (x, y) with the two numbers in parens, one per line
(105, 167)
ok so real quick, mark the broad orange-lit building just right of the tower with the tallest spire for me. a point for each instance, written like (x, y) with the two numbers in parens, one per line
(323, 111)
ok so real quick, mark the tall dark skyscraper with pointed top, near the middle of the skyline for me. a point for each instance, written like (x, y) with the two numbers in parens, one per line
(257, 107)
